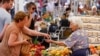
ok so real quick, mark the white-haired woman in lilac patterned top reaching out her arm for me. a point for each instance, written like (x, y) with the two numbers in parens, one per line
(77, 41)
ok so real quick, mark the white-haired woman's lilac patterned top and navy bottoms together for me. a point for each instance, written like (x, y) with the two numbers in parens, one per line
(78, 42)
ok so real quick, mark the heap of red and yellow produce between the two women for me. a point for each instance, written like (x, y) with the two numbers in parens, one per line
(38, 50)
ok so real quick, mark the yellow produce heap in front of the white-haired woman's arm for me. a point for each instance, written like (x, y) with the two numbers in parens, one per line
(59, 51)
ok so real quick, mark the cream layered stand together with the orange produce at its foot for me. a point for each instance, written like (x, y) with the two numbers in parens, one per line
(91, 24)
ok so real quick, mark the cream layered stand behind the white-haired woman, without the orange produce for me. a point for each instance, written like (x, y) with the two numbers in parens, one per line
(91, 24)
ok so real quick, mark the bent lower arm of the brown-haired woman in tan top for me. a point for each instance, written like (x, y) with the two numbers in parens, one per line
(13, 40)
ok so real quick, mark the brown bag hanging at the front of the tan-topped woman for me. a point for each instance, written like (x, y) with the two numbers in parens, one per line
(25, 49)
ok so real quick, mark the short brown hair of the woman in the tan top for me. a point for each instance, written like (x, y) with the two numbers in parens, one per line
(19, 16)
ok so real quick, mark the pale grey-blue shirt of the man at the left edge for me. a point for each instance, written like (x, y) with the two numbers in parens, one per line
(5, 18)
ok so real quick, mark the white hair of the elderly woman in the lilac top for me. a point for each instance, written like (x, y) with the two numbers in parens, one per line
(77, 21)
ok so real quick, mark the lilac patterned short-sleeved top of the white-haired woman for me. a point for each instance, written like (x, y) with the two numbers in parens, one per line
(77, 40)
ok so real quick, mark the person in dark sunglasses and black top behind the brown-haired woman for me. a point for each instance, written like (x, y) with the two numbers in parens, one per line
(31, 8)
